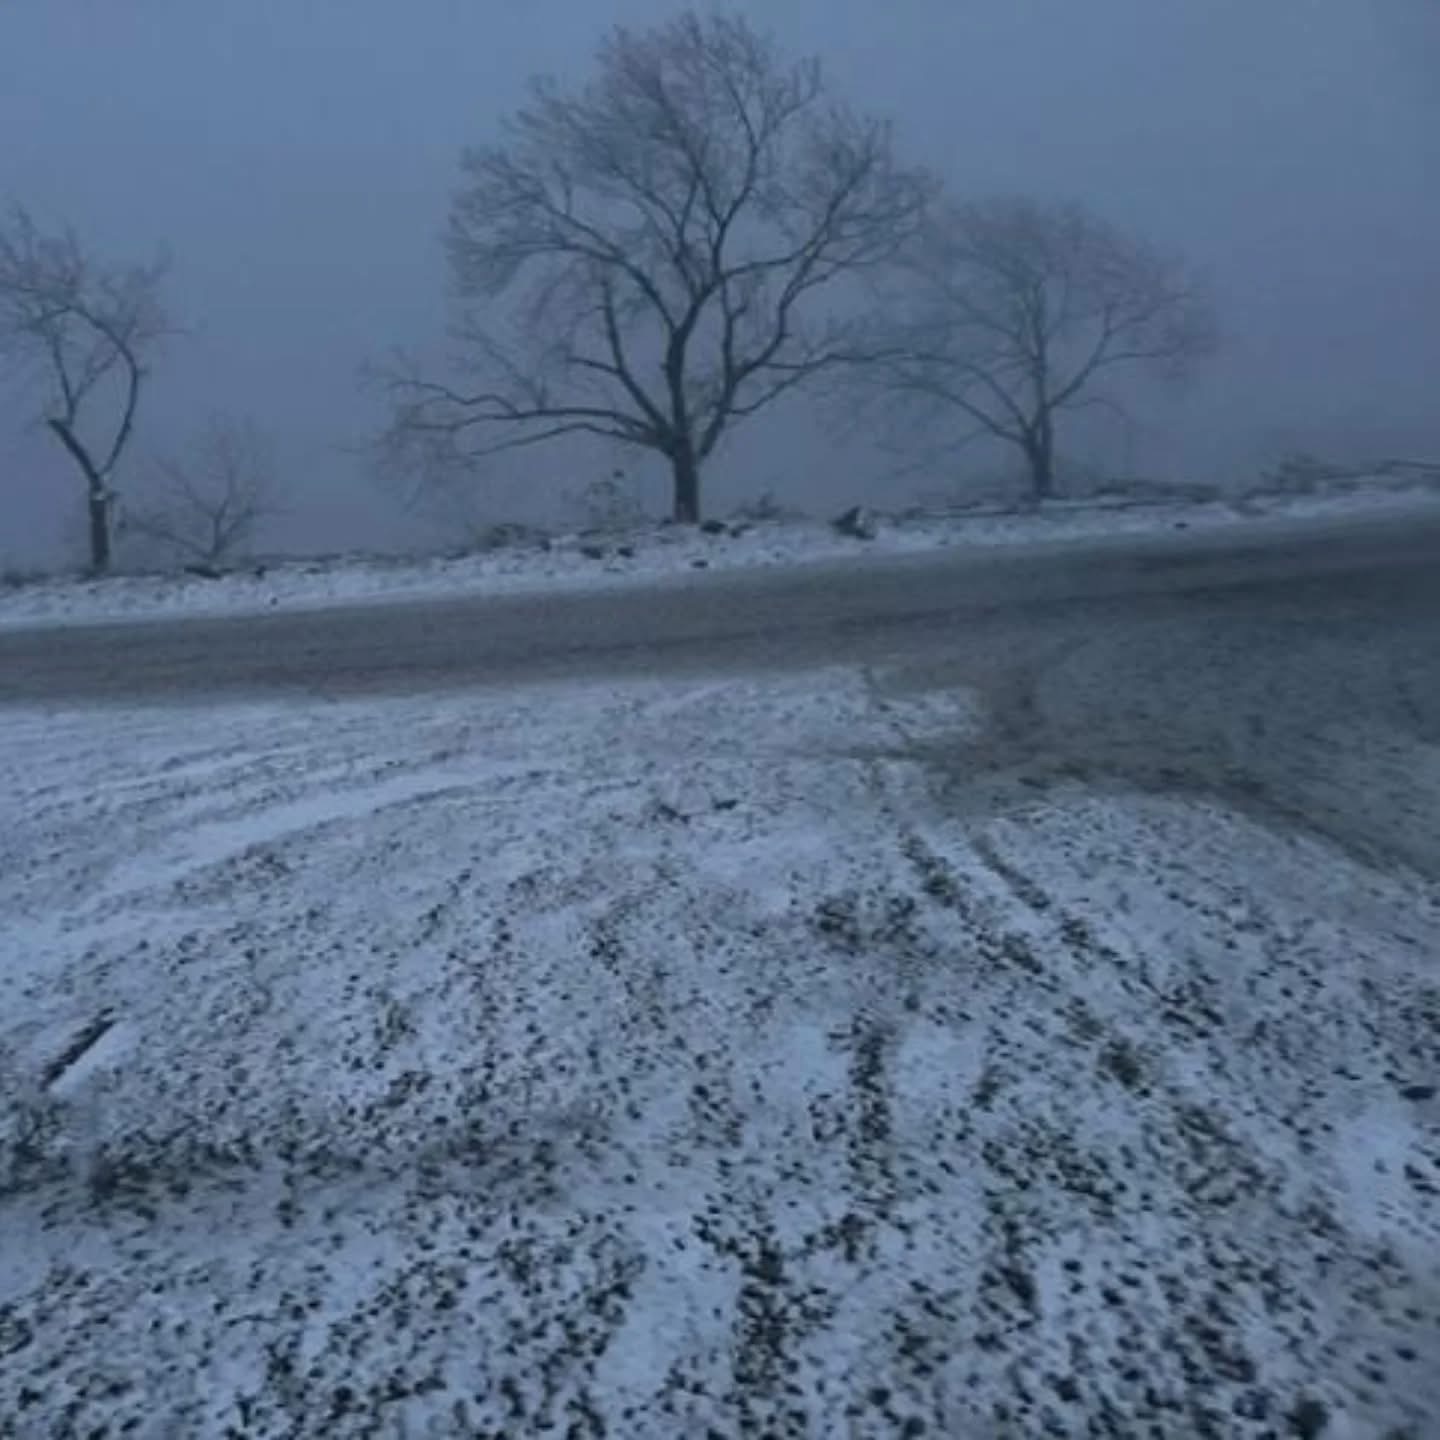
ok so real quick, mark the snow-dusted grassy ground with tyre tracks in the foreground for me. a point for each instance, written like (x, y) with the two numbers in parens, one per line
(675, 1061)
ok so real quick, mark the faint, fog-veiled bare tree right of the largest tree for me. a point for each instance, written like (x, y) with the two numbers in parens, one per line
(1014, 313)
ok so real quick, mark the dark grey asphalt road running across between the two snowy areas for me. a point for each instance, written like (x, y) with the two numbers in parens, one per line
(942, 607)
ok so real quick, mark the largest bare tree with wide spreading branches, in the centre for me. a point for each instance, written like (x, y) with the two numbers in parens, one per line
(667, 235)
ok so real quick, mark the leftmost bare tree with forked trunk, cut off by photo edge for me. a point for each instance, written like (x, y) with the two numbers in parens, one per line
(87, 328)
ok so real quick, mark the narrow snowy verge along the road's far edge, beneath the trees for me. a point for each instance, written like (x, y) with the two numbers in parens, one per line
(593, 561)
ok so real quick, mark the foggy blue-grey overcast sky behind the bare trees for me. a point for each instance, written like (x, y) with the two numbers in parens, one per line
(297, 156)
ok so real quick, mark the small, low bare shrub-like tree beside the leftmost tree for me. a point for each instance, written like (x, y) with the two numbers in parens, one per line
(208, 508)
